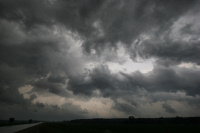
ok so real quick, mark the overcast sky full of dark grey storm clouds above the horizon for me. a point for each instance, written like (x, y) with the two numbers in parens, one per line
(70, 59)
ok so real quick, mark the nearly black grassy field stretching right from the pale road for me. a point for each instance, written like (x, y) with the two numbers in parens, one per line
(113, 128)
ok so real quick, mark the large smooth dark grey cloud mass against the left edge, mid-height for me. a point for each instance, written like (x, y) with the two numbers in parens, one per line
(24, 57)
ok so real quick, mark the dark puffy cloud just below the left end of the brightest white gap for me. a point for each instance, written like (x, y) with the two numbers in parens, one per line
(101, 78)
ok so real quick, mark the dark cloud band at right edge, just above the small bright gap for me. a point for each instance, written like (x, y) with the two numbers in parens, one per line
(167, 50)
